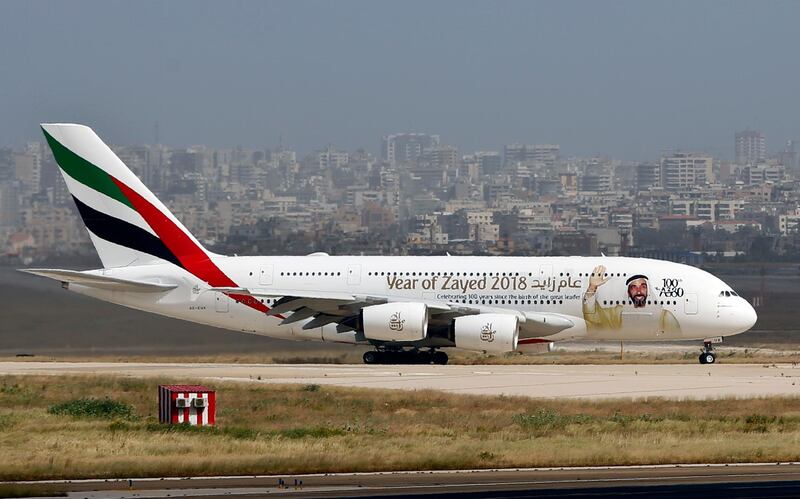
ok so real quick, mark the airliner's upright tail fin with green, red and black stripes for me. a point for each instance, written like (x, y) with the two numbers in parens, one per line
(127, 224)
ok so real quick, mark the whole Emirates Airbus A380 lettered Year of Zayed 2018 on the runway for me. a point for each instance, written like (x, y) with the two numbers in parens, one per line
(407, 307)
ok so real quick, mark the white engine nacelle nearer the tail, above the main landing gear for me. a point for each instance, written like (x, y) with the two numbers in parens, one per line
(398, 321)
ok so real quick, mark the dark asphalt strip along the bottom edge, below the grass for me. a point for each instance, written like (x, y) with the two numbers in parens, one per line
(740, 481)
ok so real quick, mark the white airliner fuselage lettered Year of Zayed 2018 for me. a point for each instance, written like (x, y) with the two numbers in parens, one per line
(702, 305)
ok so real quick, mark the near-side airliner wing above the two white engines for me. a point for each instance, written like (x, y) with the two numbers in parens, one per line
(327, 307)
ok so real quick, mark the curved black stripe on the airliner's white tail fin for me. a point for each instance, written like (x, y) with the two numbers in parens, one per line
(124, 233)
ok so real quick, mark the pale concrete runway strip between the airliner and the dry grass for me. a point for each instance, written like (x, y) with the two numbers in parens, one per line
(674, 381)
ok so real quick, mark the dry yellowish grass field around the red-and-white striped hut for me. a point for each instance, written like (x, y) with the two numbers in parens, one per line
(294, 428)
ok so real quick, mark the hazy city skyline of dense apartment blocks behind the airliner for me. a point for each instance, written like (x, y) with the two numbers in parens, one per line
(422, 196)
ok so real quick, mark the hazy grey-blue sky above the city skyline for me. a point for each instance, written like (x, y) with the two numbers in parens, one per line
(598, 77)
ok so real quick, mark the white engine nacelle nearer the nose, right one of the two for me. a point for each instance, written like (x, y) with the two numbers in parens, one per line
(490, 332)
